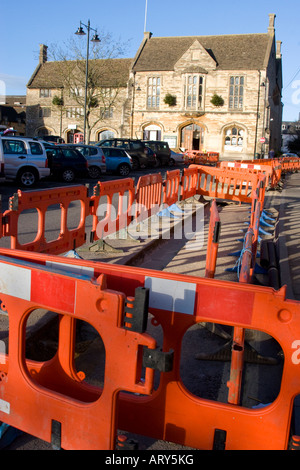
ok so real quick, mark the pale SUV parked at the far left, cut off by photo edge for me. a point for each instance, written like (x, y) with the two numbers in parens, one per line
(23, 159)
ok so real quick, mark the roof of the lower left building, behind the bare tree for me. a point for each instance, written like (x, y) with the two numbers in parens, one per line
(110, 72)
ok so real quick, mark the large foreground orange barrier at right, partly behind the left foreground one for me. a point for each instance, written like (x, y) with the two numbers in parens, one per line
(178, 302)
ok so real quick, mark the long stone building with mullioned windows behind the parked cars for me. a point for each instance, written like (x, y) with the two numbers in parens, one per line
(216, 93)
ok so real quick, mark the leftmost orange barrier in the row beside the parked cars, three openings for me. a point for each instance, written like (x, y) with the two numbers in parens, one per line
(41, 200)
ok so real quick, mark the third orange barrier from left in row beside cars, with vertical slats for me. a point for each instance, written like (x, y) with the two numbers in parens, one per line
(148, 196)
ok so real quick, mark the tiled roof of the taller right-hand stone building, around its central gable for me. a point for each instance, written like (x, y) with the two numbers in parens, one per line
(230, 52)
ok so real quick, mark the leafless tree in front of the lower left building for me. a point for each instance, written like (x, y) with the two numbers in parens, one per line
(108, 74)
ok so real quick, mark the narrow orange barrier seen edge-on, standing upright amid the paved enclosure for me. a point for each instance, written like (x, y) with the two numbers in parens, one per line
(213, 240)
